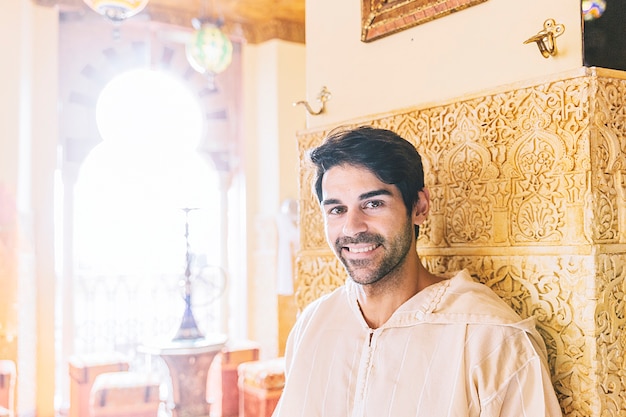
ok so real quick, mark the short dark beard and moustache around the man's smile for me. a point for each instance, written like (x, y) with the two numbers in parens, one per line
(371, 270)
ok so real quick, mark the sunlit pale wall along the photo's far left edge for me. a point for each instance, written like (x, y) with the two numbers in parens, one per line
(28, 137)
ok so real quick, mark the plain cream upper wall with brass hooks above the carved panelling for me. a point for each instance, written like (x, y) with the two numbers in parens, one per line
(465, 52)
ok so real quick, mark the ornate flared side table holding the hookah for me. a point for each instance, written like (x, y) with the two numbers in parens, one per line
(188, 362)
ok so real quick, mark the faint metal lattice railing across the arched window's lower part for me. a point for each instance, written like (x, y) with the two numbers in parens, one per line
(121, 312)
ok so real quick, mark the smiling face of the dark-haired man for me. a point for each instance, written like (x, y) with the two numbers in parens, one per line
(366, 221)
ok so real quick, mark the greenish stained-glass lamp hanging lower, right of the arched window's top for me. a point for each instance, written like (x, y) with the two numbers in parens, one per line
(209, 50)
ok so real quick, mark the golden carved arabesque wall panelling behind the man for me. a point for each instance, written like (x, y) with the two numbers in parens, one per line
(528, 189)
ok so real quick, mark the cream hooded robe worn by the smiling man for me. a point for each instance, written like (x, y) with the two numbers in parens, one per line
(453, 349)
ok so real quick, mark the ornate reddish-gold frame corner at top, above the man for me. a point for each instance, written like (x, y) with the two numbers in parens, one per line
(380, 18)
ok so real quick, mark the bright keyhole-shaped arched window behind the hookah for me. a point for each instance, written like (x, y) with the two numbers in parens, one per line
(144, 197)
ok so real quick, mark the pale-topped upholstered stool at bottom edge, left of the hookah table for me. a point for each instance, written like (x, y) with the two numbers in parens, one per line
(125, 394)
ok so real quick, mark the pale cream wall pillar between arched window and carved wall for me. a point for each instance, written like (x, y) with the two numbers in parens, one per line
(273, 80)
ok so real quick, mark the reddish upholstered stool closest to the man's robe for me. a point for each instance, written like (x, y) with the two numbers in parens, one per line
(260, 386)
